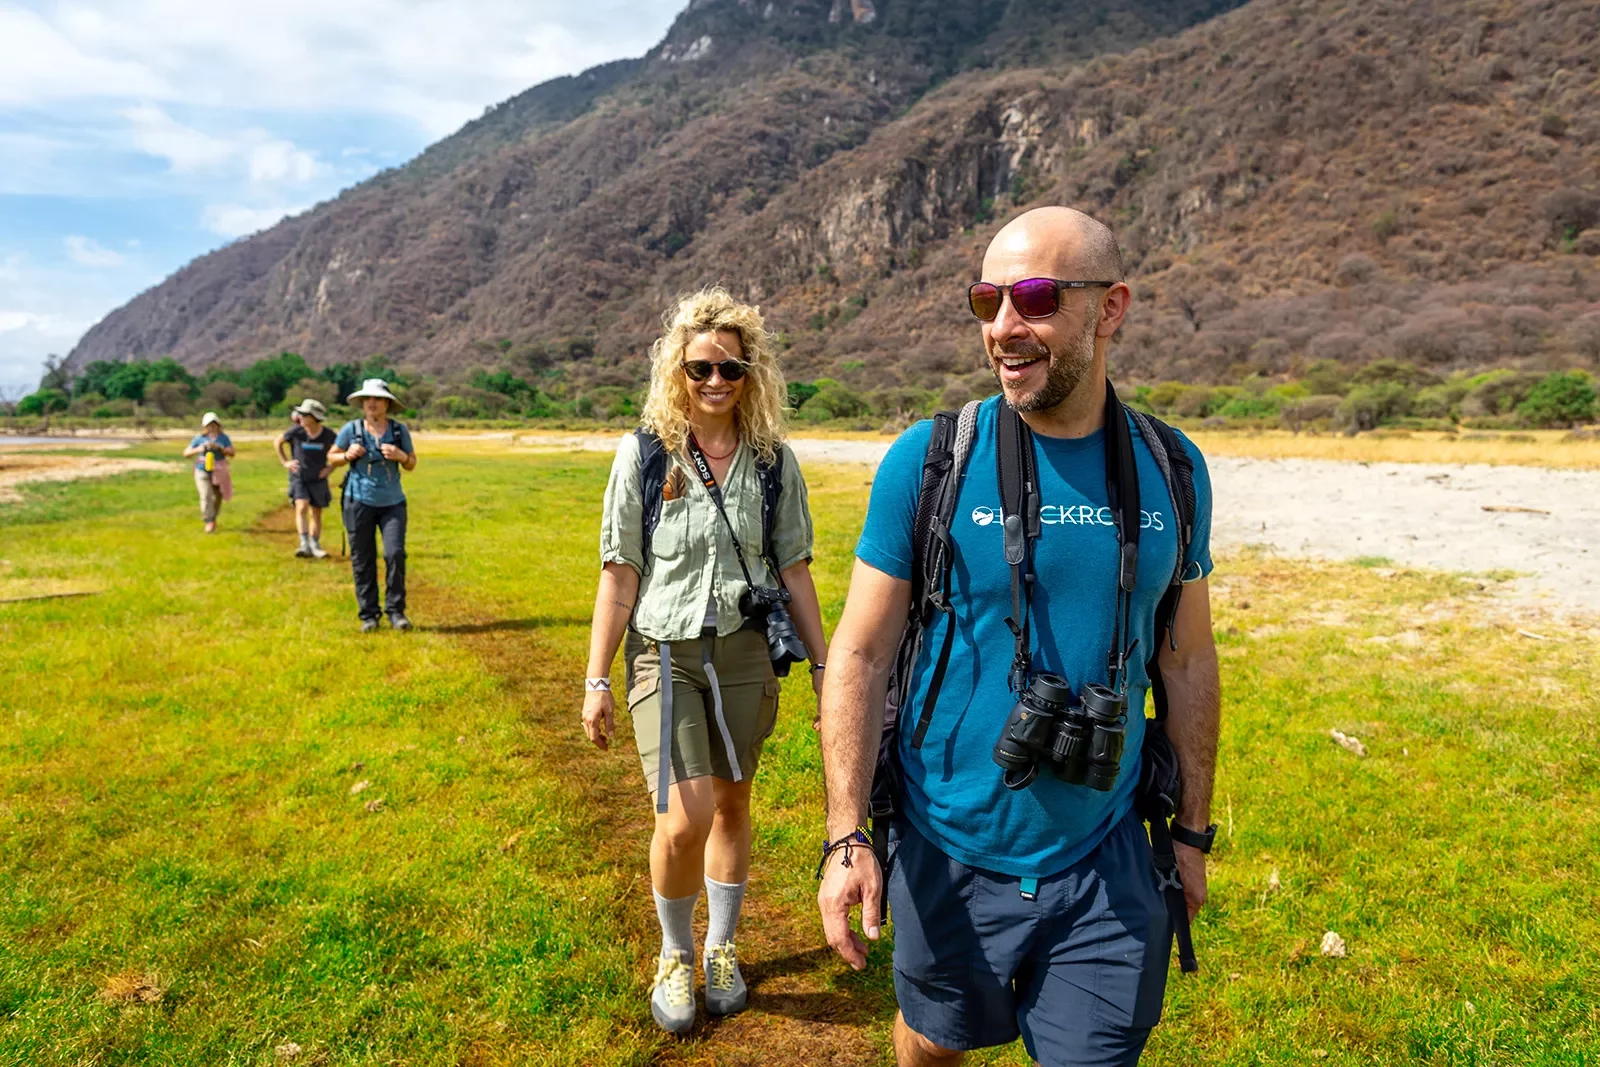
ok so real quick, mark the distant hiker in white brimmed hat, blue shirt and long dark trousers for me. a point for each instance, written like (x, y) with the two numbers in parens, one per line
(377, 450)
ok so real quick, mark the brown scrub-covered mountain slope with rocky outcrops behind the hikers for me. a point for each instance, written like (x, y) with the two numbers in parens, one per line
(1292, 180)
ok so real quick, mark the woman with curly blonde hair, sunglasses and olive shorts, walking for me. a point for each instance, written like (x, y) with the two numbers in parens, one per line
(706, 533)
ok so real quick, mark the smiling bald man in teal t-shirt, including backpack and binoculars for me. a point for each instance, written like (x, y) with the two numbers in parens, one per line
(1050, 549)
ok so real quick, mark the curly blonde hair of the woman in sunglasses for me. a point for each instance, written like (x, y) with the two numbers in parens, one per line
(766, 398)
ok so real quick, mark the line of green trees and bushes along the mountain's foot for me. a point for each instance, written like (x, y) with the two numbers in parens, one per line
(1327, 396)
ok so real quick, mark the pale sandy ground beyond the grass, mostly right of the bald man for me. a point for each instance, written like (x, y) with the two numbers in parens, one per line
(1430, 516)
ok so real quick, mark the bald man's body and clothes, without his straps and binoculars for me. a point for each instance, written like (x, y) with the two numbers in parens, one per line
(1026, 911)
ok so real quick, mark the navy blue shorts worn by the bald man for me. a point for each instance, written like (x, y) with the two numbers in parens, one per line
(1078, 973)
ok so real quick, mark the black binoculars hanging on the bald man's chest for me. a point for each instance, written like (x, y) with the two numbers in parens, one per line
(1081, 741)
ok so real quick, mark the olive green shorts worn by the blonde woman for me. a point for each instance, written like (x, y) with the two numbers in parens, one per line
(750, 706)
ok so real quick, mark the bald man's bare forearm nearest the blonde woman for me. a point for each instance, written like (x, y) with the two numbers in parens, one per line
(852, 714)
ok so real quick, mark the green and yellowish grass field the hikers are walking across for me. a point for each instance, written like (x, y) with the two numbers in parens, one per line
(191, 876)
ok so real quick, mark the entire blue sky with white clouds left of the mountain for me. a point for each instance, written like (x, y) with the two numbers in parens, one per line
(137, 135)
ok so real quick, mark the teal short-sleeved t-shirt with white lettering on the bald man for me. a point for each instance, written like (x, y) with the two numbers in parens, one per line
(953, 788)
